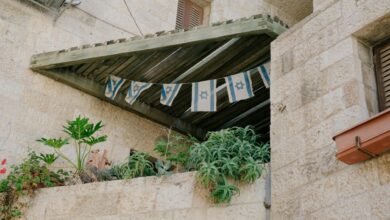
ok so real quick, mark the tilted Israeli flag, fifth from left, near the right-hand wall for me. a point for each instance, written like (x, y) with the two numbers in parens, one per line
(239, 87)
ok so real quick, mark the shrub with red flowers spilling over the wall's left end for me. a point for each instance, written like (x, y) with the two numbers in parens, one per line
(24, 179)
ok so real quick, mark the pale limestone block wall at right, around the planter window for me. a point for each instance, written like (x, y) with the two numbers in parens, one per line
(323, 82)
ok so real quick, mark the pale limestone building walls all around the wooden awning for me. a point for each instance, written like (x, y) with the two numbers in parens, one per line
(322, 82)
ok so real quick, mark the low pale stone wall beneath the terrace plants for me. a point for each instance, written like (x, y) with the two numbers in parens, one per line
(151, 198)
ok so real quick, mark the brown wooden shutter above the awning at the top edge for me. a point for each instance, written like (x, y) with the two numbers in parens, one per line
(189, 15)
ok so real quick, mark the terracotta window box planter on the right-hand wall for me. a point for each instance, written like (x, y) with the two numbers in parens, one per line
(365, 140)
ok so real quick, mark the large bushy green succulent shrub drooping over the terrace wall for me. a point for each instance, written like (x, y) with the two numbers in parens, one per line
(233, 153)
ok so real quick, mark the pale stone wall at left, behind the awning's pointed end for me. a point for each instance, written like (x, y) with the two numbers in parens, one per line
(32, 105)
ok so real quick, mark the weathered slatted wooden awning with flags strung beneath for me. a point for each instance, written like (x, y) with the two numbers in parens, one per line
(192, 55)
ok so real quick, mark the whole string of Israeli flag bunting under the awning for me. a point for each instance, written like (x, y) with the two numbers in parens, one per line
(204, 93)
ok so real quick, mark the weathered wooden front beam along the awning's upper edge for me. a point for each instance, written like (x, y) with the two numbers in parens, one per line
(244, 27)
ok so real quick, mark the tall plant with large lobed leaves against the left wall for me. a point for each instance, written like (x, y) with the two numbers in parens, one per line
(82, 134)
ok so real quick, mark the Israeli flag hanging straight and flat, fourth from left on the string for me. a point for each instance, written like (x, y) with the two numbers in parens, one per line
(204, 97)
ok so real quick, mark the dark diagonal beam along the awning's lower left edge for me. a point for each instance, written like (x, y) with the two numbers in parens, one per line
(95, 89)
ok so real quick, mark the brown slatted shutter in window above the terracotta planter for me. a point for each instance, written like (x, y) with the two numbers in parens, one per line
(382, 67)
